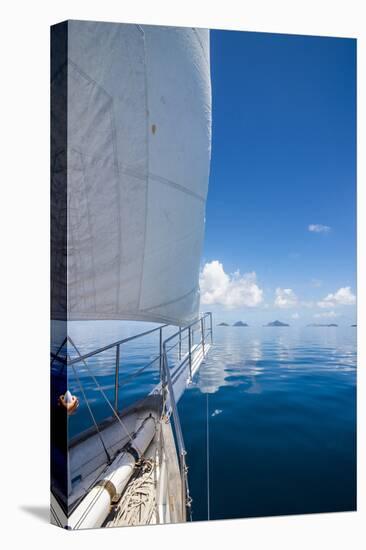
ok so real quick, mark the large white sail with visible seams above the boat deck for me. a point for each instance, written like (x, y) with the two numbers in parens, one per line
(138, 154)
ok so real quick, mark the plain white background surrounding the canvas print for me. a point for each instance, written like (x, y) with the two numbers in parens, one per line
(25, 281)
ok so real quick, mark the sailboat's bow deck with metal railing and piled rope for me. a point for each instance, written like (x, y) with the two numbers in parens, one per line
(157, 490)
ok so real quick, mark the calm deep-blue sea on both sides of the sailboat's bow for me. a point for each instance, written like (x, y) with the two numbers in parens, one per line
(281, 406)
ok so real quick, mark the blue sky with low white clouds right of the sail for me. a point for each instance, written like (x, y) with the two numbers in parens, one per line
(283, 159)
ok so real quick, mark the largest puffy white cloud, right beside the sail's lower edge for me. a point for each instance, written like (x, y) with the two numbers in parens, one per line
(229, 290)
